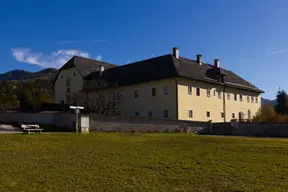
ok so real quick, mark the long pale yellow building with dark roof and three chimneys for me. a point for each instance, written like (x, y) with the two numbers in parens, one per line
(167, 86)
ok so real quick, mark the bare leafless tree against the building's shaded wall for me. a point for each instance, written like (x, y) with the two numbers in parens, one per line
(100, 96)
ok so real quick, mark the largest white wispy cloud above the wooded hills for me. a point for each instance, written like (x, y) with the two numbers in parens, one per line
(55, 59)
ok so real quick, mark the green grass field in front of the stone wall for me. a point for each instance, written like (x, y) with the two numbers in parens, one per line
(142, 162)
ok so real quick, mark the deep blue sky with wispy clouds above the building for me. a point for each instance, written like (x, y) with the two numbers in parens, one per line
(248, 36)
